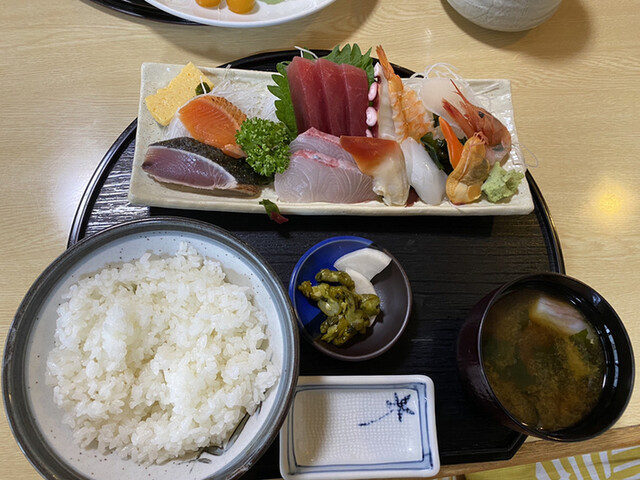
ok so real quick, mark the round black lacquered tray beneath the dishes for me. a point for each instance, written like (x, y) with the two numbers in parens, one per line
(451, 263)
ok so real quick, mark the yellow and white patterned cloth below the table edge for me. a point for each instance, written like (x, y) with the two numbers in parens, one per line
(622, 464)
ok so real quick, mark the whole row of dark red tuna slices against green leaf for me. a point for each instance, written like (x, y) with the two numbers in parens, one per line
(328, 96)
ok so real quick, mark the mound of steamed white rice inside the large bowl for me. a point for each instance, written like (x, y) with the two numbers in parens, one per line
(159, 357)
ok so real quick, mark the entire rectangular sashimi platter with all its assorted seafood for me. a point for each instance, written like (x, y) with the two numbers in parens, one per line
(340, 134)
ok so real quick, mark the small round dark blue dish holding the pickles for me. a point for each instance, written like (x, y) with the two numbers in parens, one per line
(391, 285)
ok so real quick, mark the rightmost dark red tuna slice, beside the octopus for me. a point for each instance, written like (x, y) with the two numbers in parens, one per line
(356, 103)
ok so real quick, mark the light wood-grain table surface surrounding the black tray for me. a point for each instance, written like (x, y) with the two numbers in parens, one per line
(70, 79)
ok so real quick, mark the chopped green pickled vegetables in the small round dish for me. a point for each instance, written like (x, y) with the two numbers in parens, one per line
(348, 313)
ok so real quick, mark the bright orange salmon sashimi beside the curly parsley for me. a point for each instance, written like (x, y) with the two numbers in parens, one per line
(214, 121)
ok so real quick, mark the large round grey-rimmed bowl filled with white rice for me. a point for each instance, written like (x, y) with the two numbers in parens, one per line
(83, 438)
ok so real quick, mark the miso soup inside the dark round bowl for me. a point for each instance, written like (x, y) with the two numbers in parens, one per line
(543, 359)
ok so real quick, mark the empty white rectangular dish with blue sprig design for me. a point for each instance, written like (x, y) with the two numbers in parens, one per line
(360, 427)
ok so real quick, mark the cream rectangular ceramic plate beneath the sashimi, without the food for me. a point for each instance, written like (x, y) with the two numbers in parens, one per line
(146, 191)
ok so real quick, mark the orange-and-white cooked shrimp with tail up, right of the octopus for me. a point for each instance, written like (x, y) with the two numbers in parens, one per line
(410, 117)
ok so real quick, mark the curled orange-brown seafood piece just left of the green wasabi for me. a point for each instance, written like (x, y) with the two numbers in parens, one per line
(465, 182)
